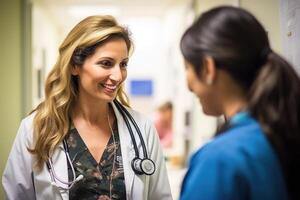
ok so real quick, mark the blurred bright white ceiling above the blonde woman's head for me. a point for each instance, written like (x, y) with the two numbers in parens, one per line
(66, 13)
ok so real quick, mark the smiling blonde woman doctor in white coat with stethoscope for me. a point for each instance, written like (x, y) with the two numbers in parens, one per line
(81, 142)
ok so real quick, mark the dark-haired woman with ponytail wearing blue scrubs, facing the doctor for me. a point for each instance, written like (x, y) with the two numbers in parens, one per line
(231, 67)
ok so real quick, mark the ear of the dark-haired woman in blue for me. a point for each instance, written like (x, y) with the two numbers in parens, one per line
(209, 70)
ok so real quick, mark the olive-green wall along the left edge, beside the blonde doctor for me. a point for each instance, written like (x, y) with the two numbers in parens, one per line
(10, 76)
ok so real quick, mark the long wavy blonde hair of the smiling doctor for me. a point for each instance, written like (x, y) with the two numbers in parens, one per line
(52, 116)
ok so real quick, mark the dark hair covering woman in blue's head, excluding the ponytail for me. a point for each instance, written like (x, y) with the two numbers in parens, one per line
(232, 37)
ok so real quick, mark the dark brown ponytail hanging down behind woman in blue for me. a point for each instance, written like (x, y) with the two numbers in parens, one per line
(274, 100)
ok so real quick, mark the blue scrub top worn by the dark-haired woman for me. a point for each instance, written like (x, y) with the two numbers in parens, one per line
(238, 164)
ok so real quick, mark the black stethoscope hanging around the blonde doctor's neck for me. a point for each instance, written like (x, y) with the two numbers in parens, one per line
(140, 166)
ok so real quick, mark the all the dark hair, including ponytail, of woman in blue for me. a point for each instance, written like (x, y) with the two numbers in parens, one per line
(239, 45)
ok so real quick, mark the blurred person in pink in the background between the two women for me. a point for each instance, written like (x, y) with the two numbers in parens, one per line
(163, 123)
